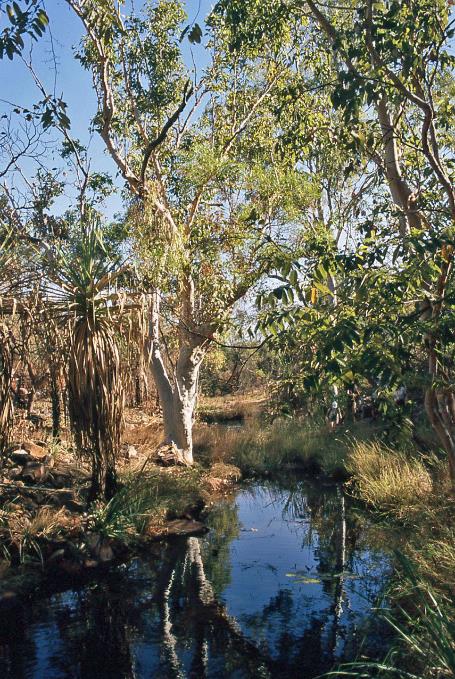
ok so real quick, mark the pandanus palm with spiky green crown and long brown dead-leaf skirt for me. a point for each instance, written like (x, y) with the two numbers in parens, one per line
(82, 288)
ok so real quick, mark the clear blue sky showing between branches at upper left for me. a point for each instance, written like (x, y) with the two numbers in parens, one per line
(73, 83)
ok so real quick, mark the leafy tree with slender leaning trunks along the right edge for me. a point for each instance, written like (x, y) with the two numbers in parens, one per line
(389, 71)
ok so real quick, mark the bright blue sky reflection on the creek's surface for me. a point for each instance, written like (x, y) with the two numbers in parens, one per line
(262, 559)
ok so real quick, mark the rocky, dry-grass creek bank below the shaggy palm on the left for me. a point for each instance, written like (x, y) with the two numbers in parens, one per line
(51, 531)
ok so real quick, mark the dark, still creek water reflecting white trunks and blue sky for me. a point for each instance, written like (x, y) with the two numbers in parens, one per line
(282, 586)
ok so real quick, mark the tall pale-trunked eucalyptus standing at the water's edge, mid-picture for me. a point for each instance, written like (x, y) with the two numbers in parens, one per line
(209, 193)
